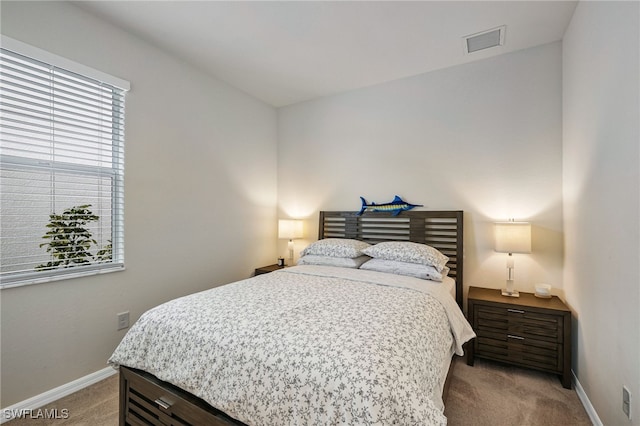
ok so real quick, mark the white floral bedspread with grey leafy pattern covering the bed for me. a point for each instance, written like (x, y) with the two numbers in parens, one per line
(307, 345)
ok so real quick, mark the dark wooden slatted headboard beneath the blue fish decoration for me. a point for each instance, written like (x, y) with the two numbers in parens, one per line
(442, 230)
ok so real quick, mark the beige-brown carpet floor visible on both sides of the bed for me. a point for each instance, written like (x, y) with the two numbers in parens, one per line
(488, 394)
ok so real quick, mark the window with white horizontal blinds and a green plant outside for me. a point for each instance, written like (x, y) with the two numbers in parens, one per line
(61, 167)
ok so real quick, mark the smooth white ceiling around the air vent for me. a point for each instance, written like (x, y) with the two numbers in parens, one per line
(287, 52)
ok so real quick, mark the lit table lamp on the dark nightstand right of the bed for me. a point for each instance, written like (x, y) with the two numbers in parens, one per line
(512, 237)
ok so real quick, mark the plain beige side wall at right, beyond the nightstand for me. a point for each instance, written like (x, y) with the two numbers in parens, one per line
(601, 195)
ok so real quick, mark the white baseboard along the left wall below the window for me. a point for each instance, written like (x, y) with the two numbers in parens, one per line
(55, 394)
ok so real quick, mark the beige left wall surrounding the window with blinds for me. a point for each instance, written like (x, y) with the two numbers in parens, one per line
(200, 190)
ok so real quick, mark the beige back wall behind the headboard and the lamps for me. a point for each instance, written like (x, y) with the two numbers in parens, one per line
(483, 137)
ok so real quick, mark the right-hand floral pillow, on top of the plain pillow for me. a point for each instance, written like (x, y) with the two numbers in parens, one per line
(404, 251)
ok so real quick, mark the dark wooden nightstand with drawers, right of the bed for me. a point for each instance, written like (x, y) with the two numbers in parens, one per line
(527, 331)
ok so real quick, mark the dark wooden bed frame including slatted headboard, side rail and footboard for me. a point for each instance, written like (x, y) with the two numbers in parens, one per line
(146, 400)
